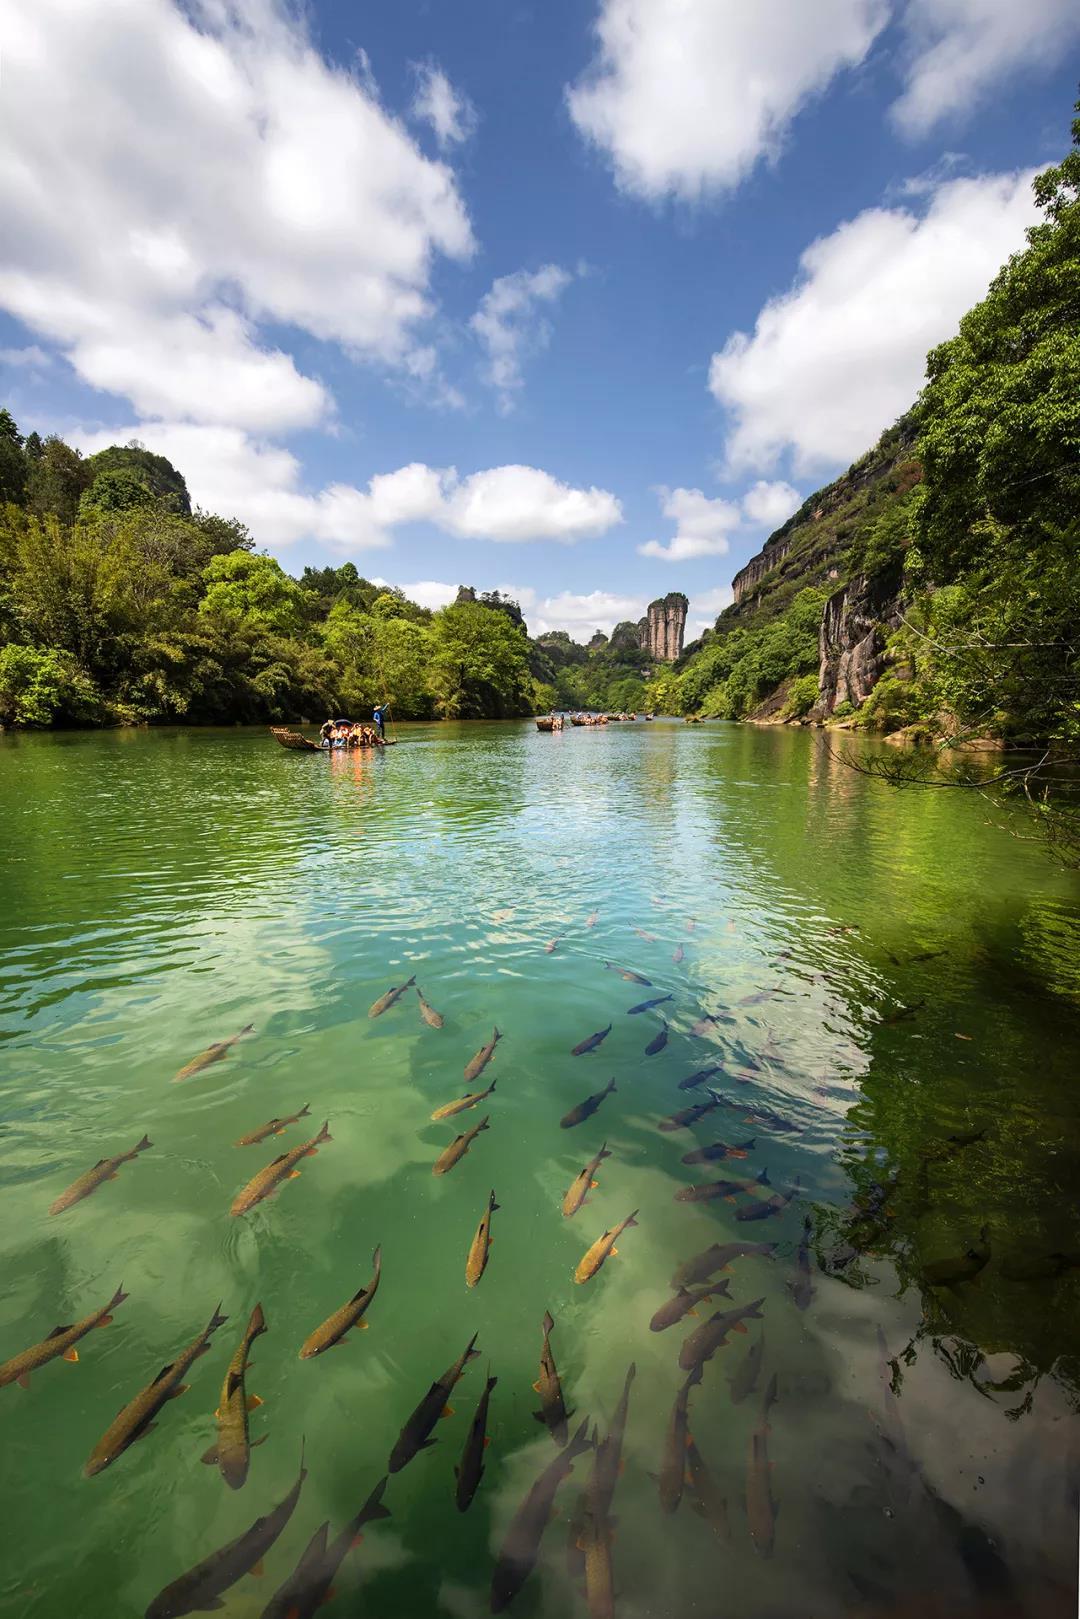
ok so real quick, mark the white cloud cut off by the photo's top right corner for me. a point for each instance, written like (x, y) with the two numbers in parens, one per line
(958, 49)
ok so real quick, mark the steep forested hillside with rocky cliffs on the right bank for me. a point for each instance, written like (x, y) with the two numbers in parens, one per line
(937, 585)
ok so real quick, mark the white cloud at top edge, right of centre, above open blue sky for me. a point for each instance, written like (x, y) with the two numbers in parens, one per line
(686, 98)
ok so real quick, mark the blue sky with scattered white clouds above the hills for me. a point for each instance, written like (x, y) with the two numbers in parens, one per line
(577, 300)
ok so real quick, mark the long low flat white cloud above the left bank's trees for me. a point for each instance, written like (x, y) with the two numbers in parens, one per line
(261, 485)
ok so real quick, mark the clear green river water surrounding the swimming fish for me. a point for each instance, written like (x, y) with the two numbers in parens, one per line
(161, 891)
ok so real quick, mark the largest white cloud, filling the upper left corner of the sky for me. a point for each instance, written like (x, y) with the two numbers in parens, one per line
(221, 177)
